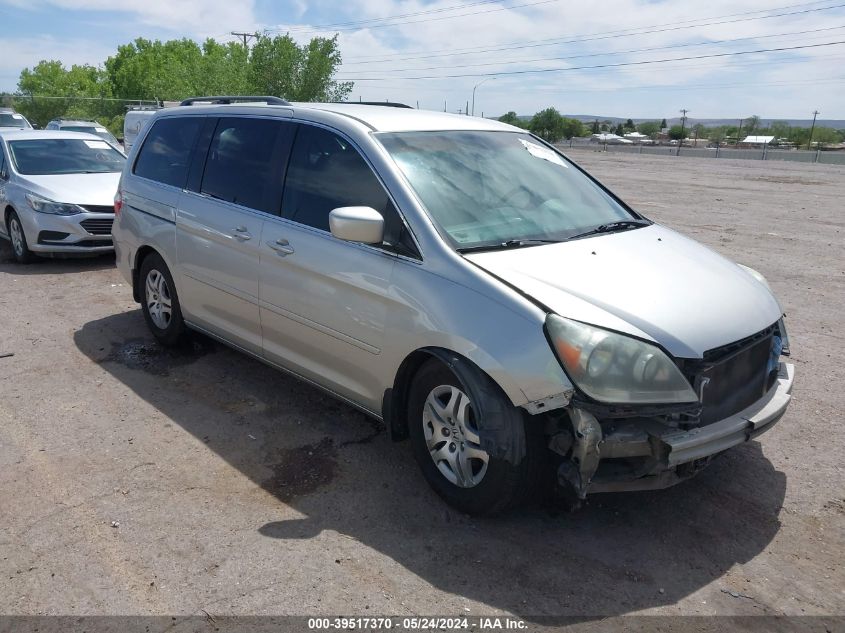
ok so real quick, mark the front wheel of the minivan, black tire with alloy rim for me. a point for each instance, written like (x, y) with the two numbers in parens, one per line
(468, 484)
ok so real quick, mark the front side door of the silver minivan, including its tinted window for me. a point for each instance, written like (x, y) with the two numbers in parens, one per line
(324, 301)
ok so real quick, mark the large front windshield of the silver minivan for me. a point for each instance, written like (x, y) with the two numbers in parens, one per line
(499, 188)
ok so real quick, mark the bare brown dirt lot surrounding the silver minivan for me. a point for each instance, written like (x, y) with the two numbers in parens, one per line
(135, 480)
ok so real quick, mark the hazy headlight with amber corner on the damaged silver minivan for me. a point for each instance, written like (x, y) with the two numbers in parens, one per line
(613, 368)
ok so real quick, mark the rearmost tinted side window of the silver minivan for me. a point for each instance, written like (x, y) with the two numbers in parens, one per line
(166, 153)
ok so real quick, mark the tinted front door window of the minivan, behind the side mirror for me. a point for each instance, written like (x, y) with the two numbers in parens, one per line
(326, 172)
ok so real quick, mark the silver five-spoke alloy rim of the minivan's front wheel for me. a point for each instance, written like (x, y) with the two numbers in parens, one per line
(452, 436)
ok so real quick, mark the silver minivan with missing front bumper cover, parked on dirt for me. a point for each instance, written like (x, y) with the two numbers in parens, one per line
(459, 279)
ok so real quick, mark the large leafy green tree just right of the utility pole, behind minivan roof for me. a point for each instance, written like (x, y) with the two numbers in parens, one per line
(279, 66)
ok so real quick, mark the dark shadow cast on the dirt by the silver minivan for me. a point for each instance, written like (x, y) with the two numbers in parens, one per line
(620, 553)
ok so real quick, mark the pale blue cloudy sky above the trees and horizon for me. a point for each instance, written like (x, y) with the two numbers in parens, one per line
(615, 58)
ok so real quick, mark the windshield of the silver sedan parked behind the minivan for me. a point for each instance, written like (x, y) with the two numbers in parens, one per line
(49, 156)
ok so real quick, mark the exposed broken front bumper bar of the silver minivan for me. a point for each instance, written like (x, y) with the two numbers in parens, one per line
(648, 454)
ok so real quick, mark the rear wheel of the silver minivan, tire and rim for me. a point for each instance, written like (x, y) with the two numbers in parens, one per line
(157, 290)
